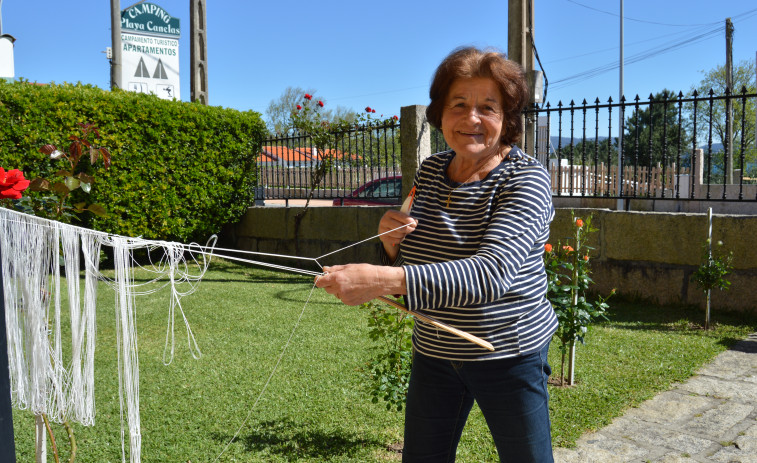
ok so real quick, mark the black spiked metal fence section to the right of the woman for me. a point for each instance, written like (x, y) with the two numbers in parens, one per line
(673, 147)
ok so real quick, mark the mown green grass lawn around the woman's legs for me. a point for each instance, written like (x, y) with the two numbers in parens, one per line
(314, 409)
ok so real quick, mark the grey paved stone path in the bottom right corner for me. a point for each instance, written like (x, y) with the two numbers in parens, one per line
(712, 417)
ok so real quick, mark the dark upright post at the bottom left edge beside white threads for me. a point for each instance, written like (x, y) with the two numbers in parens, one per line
(7, 444)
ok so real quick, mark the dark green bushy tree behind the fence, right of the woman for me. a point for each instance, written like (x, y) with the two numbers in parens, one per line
(653, 132)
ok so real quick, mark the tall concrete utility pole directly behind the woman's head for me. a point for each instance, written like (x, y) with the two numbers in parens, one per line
(521, 50)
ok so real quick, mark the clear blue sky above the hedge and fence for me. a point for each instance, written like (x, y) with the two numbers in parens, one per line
(357, 54)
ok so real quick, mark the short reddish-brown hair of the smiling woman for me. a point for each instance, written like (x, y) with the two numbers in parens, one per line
(470, 62)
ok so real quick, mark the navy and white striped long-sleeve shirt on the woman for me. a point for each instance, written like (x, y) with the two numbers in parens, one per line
(477, 264)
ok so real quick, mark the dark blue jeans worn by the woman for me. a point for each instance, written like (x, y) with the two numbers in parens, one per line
(511, 393)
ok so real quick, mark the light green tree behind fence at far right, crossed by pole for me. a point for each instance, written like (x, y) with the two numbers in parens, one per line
(743, 110)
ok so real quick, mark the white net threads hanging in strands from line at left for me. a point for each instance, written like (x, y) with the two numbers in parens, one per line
(43, 379)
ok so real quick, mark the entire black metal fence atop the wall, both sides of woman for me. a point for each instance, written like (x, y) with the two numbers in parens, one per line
(672, 147)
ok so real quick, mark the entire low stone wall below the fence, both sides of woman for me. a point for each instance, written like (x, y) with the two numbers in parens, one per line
(650, 255)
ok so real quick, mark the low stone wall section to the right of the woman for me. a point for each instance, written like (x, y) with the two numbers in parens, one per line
(652, 255)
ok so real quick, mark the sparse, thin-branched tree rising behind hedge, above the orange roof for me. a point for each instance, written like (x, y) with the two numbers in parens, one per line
(279, 111)
